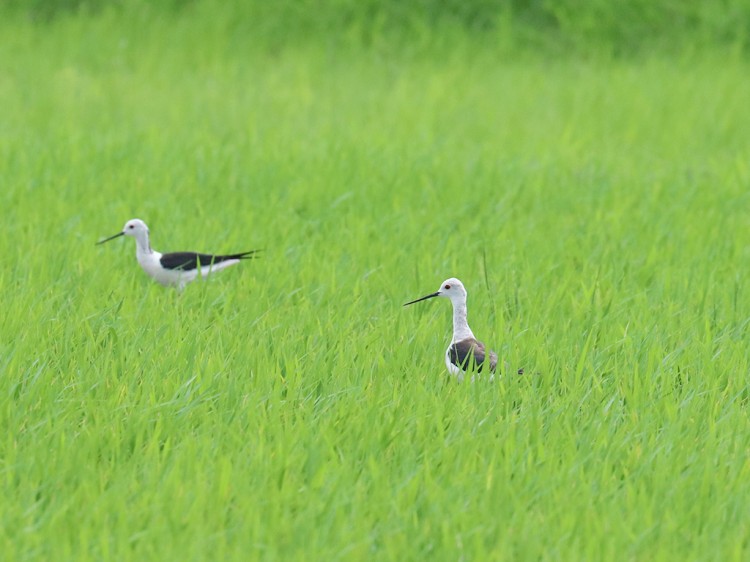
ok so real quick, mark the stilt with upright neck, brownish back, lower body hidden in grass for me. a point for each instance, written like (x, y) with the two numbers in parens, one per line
(465, 352)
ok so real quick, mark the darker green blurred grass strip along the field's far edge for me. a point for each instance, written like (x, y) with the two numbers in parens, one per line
(594, 28)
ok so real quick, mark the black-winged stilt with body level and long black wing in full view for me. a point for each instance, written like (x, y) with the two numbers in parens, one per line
(175, 269)
